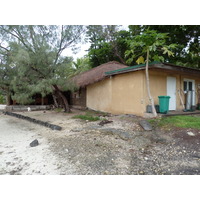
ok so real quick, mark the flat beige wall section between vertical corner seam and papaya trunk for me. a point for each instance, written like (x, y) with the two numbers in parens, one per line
(127, 93)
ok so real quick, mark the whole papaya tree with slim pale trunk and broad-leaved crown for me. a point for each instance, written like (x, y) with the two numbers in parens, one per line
(152, 46)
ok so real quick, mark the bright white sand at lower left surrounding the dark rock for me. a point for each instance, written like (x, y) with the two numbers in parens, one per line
(16, 155)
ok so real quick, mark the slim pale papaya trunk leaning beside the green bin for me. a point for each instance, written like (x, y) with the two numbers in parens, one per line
(148, 86)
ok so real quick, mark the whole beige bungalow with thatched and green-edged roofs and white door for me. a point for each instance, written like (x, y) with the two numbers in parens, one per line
(119, 89)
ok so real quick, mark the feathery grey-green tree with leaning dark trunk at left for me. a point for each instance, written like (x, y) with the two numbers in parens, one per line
(36, 54)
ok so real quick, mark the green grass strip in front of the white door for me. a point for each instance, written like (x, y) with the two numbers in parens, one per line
(177, 121)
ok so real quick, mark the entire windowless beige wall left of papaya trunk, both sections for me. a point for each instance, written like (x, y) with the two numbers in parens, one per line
(121, 94)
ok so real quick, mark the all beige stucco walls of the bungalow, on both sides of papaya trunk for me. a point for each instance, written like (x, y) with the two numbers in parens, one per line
(127, 94)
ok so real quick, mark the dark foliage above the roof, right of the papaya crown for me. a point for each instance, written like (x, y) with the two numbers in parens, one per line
(187, 38)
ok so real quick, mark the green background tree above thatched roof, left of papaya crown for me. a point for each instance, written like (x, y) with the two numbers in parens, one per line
(107, 44)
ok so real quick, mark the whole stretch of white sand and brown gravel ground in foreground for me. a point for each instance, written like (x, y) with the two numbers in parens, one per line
(84, 147)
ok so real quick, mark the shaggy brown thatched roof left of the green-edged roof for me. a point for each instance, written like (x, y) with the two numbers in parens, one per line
(96, 74)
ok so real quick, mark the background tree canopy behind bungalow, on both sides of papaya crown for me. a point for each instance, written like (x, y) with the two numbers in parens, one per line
(186, 37)
